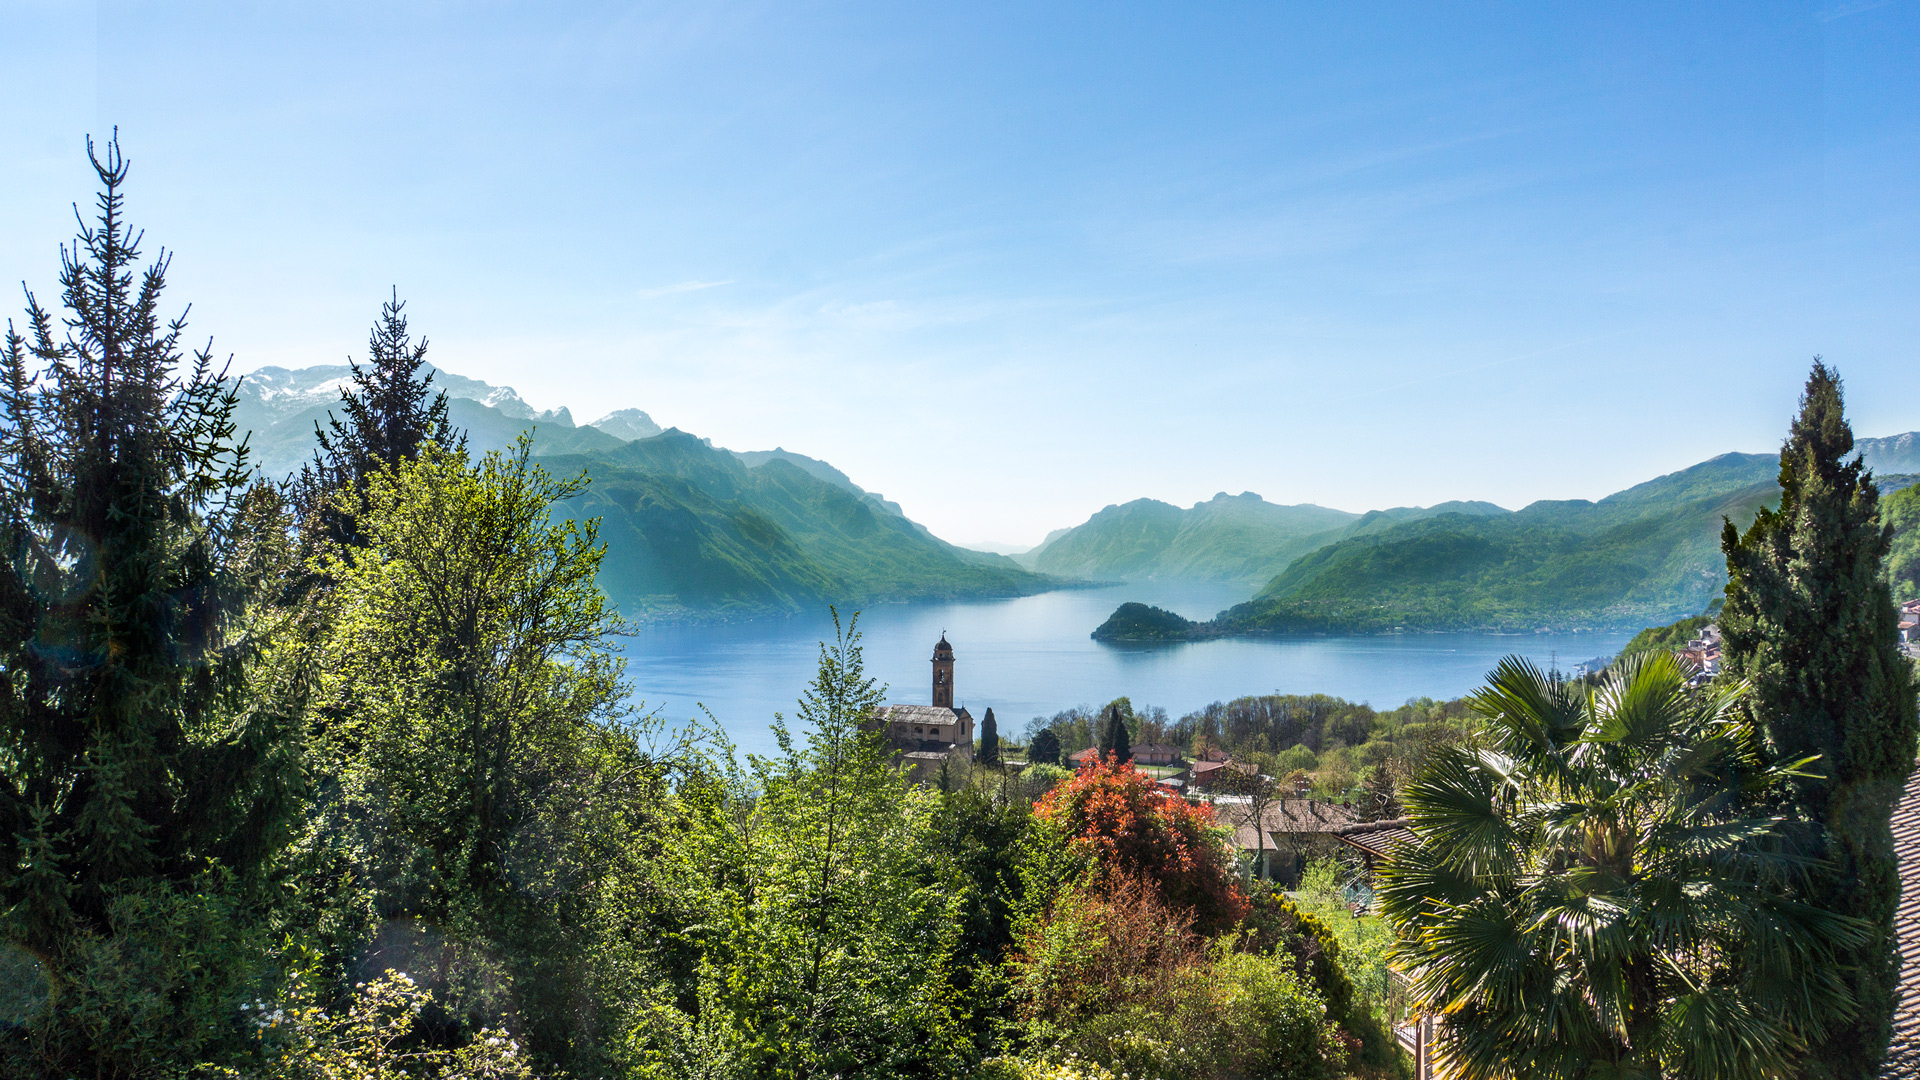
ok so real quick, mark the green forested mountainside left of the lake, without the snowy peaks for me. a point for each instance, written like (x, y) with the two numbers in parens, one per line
(694, 529)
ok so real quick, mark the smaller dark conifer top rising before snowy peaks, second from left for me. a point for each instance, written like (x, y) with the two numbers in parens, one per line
(389, 420)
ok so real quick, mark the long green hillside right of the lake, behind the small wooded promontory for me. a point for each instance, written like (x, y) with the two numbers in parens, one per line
(1648, 554)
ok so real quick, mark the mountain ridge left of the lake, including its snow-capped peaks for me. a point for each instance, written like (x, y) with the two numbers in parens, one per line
(690, 529)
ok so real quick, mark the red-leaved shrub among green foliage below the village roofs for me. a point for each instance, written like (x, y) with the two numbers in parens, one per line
(1136, 829)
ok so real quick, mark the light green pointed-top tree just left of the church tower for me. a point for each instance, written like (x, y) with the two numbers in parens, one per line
(828, 946)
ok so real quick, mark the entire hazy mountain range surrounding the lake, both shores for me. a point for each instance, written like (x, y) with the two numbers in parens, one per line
(694, 529)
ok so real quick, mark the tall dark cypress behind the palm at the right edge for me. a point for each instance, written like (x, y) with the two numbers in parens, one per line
(1810, 620)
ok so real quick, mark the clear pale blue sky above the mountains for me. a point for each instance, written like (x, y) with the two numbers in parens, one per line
(1013, 262)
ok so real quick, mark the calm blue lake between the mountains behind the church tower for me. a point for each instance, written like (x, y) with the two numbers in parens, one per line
(1032, 658)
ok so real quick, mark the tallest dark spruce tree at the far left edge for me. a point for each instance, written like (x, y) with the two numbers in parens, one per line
(151, 762)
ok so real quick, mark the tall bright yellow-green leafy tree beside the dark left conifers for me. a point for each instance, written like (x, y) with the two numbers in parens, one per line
(489, 800)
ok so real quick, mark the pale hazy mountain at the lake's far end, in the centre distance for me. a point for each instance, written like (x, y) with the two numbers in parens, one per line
(1224, 539)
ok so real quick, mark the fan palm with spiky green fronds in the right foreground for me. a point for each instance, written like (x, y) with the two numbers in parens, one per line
(1604, 887)
